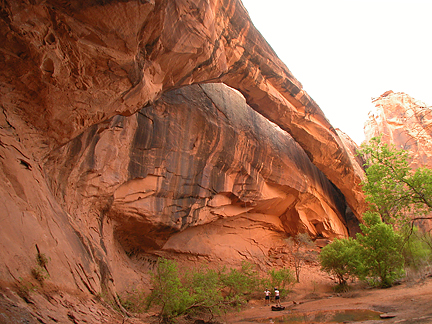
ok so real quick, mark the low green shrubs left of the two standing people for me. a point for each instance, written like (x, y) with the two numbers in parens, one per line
(210, 291)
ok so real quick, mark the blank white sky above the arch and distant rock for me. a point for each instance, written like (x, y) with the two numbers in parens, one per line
(345, 52)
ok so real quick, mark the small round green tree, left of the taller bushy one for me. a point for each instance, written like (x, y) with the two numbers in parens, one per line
(341, 259)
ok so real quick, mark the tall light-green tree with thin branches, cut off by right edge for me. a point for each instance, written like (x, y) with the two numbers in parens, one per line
(391, 187)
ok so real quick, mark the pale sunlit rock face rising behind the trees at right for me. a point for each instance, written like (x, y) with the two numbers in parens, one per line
(404, 122)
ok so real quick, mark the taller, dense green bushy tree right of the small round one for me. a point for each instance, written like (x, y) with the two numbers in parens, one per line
(380, 251)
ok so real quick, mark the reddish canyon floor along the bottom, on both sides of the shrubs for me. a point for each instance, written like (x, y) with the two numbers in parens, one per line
(313, 300)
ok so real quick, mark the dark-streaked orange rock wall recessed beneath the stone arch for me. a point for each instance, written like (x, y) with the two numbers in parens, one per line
(198, 156)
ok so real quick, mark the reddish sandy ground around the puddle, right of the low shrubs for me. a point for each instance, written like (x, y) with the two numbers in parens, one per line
(313, 300)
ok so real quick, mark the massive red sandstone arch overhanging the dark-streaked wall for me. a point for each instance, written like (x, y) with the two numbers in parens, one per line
(66, 68)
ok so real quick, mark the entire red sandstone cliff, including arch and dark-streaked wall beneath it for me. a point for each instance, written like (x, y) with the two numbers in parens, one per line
(110, 156)
